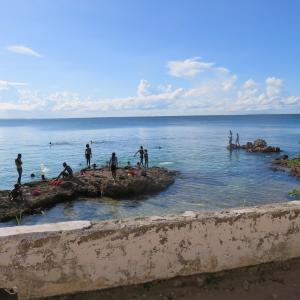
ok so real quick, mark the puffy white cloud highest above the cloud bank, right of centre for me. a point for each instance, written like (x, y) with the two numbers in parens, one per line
(188, 67)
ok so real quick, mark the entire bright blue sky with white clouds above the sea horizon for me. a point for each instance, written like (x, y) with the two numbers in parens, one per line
(64, 58)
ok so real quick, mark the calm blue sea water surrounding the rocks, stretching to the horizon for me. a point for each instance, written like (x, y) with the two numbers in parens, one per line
(211, 177)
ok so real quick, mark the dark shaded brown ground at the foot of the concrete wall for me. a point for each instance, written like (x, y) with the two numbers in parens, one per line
(276, 280)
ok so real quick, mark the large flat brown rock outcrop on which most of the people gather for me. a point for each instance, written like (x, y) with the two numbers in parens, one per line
(89, 183)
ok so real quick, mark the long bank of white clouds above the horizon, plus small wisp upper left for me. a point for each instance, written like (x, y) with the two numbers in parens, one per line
(212, 90)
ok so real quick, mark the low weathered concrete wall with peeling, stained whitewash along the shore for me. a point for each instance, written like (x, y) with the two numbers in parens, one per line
(62, 258)
